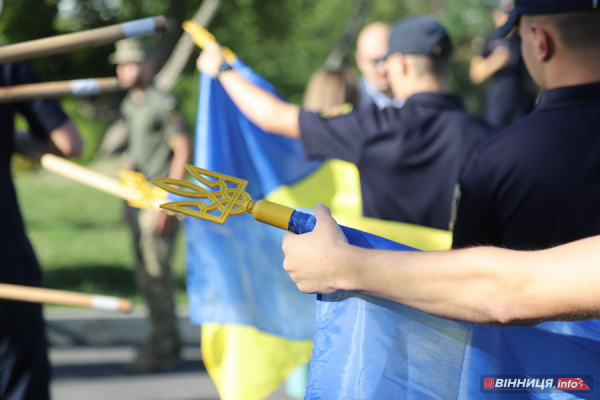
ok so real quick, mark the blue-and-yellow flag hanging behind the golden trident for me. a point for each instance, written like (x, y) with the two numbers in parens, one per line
(256, 325)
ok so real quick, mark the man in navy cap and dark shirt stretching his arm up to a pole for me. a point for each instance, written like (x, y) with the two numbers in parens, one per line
(409, 158)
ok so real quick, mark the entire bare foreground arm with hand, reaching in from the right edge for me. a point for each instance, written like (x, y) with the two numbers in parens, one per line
(483, 284)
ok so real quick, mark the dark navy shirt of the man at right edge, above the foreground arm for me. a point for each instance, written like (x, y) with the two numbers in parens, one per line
(537, 184)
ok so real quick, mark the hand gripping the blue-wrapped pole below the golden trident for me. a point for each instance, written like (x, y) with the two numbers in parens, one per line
(319, 261)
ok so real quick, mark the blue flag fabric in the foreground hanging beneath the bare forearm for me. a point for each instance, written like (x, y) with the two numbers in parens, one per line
(368, 348)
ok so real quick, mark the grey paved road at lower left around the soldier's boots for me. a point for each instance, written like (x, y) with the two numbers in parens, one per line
(88, 351)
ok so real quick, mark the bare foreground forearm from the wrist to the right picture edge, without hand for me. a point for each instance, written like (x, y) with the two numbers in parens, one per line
(488, 285)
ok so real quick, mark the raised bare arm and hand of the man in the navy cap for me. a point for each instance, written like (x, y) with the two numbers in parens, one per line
(261, 107)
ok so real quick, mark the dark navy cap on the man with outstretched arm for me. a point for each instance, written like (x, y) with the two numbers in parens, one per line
(420, 35)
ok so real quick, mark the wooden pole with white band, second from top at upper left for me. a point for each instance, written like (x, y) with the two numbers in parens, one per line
(77, 88)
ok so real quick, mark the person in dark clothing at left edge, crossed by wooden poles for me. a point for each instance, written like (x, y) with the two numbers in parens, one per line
(24, 366)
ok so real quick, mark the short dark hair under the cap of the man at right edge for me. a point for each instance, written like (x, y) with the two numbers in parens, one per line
(576, 30)
